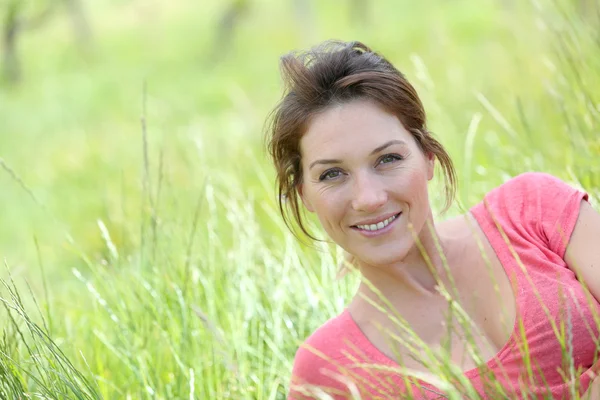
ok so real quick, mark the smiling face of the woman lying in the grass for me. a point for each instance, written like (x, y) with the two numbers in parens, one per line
(366, 178)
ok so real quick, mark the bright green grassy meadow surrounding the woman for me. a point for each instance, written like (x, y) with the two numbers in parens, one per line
(144, 254)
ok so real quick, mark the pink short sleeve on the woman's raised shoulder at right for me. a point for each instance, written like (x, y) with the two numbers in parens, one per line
(541, 206)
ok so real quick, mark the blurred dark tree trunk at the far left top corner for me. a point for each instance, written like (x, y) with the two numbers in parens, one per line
(10, 60)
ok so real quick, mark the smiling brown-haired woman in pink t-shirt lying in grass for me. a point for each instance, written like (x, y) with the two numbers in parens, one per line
(487, 303)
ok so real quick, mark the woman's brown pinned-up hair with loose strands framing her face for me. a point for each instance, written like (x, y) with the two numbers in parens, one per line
(332, 73)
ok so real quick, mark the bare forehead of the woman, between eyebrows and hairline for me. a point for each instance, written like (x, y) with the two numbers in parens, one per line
(360, 125)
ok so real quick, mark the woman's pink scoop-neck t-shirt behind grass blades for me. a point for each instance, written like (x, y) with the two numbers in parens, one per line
(537, 213)
